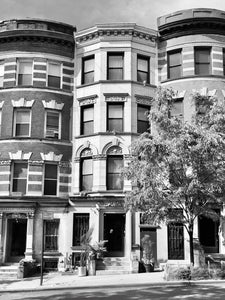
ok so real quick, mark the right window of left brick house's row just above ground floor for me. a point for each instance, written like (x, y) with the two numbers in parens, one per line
(50, 180)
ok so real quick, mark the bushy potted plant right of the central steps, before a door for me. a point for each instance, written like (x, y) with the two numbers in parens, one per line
(148, 256)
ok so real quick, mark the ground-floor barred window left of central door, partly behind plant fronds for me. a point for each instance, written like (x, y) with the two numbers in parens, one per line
(80, 227)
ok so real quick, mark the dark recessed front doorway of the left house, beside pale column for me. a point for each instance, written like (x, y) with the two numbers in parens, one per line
(17, 232)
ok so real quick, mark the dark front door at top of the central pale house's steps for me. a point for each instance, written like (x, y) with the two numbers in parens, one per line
(114, 229)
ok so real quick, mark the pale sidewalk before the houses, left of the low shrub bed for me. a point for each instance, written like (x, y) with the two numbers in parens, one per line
(62, 280)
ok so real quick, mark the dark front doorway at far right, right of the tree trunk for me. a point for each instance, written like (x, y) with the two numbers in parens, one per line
(208, 234)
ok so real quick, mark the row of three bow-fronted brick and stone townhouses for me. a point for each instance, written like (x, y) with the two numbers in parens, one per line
(71, 103)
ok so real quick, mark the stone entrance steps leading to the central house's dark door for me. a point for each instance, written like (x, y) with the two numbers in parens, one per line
(113, 266)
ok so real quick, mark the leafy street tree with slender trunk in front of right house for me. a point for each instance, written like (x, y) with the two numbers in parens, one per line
(178, 170)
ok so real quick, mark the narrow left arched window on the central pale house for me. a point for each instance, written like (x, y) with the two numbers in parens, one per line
(86, 170)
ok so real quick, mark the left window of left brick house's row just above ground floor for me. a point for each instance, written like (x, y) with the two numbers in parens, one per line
(19, 183)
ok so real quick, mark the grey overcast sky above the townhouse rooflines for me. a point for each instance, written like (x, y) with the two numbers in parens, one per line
(86, 13)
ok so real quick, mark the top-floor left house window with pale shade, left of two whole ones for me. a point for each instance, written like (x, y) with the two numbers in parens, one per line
(25, 72)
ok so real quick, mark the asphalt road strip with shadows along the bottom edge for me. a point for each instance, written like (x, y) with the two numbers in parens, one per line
(204, 291)
